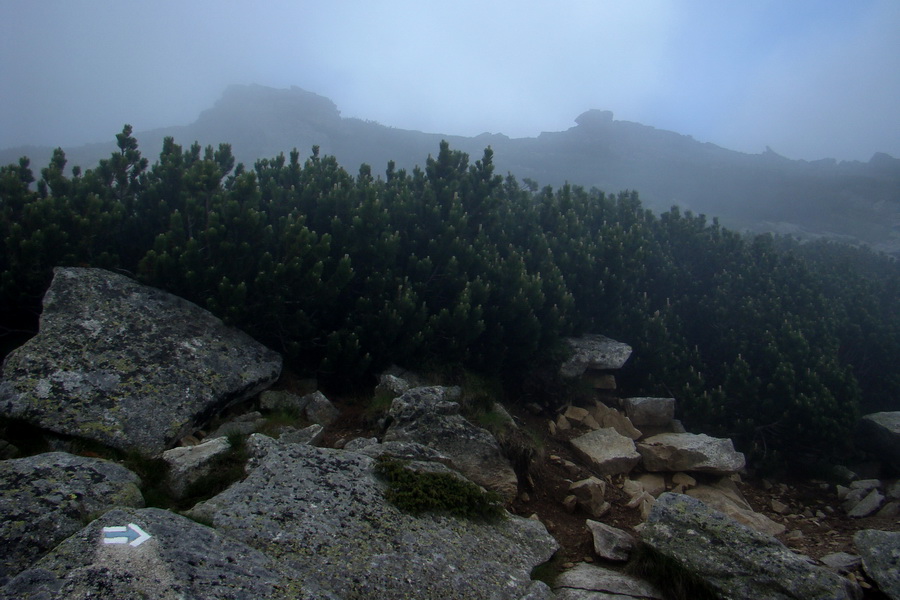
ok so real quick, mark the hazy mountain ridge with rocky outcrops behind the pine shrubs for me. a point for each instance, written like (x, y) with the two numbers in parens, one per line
(853, 201)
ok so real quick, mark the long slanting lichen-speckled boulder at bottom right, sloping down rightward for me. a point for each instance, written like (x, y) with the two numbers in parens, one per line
(737, 562)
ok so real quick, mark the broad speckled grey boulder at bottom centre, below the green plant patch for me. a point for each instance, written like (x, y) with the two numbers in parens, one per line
(323, 512)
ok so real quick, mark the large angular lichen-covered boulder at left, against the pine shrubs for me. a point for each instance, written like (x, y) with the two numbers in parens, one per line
(129, 366)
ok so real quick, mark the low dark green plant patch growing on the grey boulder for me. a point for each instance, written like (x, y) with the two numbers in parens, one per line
(419, 492)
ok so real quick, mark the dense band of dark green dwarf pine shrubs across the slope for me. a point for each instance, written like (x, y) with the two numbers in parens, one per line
(777, 344)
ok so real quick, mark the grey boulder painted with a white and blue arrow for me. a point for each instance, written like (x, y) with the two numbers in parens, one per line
(180, 559)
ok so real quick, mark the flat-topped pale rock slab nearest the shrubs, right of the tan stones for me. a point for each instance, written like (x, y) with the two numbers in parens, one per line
(674, 452)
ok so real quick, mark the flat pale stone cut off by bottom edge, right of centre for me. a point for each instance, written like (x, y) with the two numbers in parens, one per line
(586, 581)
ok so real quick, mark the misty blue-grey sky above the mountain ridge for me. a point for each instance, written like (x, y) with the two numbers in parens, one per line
(810, 78)
